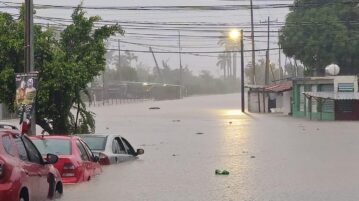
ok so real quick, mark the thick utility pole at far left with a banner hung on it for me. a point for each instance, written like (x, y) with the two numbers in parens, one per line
(29, 53)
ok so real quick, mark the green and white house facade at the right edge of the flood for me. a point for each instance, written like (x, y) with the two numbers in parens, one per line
(326, 98)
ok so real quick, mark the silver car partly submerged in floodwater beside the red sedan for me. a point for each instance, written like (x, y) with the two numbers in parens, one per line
(111, 149)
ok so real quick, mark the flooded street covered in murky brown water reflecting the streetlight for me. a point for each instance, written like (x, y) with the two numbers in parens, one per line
(269, 157)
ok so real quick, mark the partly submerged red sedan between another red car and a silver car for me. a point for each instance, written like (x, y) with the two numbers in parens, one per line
(76, 161)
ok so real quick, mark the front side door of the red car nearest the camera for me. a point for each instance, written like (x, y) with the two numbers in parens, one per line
(32, 166)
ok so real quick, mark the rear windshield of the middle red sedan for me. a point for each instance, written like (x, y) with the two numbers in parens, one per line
(53, 146)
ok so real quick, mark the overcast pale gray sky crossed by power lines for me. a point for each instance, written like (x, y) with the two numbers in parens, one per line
(142, 27)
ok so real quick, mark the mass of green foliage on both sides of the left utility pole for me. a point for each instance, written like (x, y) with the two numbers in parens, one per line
(65, 68)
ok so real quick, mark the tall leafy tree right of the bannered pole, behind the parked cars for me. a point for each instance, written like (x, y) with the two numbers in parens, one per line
(78, 58)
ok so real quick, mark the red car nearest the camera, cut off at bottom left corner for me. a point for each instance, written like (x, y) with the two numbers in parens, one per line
(24, 174)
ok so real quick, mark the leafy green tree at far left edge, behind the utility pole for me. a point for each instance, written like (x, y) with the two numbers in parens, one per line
(12, 53)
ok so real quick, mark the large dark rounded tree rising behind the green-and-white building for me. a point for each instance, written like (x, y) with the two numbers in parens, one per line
(320, 32)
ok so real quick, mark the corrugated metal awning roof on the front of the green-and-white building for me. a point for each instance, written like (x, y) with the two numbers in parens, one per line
(334, 95)
